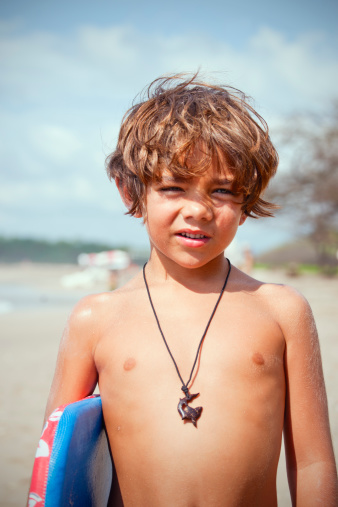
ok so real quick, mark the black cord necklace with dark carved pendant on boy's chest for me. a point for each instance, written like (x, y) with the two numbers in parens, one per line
(183, 408)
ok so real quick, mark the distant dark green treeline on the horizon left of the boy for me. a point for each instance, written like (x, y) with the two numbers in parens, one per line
(63, 252)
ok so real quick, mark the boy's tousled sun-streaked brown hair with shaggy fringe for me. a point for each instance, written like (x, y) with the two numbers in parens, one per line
(179, 113)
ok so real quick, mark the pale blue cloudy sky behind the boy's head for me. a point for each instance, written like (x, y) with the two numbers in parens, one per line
(70, 69)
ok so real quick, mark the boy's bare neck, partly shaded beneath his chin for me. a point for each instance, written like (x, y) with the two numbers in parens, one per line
(204, 279)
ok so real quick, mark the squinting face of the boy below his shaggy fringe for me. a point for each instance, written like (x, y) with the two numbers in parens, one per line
(192, 221)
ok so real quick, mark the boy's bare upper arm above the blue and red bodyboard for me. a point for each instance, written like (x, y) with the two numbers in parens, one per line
(75, 373)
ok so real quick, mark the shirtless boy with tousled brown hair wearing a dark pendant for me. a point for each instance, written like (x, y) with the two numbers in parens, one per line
(193, 160)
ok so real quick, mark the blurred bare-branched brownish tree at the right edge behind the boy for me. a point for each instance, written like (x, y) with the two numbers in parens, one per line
(308, 189)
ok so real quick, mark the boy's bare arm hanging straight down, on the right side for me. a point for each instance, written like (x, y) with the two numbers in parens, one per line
(310, 459)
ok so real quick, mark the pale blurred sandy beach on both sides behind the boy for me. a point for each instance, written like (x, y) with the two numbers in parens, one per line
(33, 310)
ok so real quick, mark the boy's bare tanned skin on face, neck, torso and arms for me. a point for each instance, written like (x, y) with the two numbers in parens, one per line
(259, 368)
